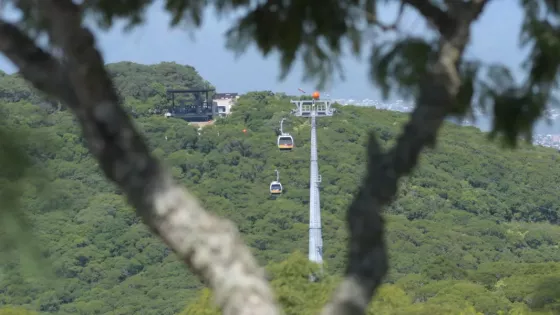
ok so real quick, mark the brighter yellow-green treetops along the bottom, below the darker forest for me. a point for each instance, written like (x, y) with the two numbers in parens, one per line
(417, 294)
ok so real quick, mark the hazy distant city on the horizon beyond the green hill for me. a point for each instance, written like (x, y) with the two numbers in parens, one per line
(541, 137)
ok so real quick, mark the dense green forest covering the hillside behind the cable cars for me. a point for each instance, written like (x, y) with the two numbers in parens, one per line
(473, 231)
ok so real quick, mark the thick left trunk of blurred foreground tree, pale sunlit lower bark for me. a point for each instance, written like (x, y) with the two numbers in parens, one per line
(211, 246)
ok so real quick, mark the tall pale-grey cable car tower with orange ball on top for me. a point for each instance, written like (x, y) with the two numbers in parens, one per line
(314, 108)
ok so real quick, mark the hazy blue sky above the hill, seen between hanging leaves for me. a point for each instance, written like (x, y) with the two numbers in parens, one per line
(495, 38)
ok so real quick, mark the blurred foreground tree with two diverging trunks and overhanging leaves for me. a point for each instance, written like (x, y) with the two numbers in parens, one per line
(433, 71)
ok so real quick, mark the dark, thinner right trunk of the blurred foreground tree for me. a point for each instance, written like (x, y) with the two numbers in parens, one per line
(367, 261)
